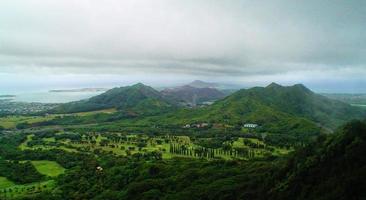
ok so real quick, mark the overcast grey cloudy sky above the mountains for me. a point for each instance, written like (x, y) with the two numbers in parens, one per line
(93, 43)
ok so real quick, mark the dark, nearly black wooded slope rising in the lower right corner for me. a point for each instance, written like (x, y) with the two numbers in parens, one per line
(332, 168)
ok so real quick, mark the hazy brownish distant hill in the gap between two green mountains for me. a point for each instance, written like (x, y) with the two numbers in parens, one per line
(192, 95)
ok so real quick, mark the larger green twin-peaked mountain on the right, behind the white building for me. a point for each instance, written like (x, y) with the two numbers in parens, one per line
(293, 110)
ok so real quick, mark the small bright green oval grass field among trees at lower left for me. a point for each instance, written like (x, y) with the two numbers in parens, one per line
(48, 168)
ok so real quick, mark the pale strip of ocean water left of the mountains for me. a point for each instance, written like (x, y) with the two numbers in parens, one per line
(53, 97)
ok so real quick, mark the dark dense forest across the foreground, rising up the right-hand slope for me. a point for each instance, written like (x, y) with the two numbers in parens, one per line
(333, 163)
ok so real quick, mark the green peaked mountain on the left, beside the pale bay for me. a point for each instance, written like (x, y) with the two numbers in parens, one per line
(137, 99)
